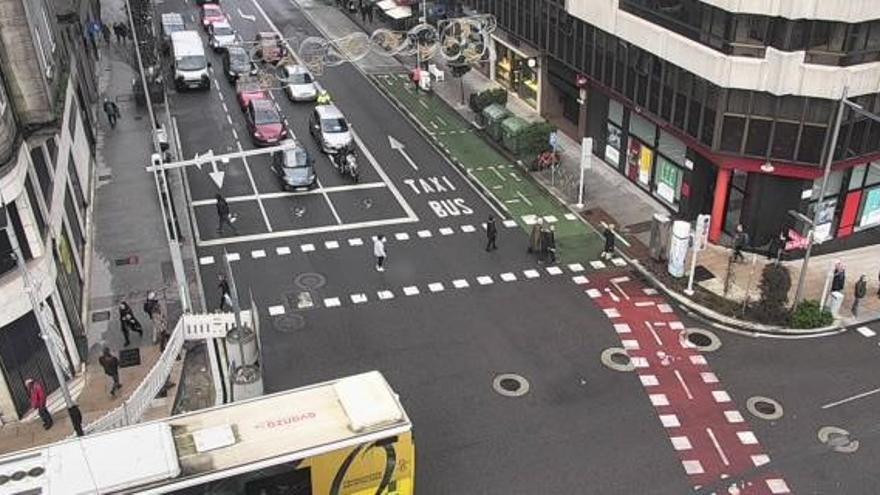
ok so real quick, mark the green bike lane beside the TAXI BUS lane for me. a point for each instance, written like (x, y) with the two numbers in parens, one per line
(513, 189)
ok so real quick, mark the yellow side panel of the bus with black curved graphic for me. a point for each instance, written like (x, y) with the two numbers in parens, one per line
(384, 466)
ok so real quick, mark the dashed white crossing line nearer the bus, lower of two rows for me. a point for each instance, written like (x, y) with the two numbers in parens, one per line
(574, 270)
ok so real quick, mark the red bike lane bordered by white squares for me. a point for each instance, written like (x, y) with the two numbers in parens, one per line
(713, 440)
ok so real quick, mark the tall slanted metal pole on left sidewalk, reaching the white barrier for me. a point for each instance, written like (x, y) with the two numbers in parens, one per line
(173, 244)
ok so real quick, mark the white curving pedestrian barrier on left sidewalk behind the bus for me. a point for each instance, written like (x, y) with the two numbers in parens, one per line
(188, 327)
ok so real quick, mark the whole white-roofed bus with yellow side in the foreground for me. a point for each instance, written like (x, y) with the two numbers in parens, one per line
(349, 436)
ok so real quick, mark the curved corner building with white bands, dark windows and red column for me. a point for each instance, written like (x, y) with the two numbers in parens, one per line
(715, 106)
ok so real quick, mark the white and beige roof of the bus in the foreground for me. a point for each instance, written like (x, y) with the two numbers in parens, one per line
(236, 437)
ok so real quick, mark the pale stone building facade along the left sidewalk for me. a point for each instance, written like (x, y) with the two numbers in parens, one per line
(47, 148)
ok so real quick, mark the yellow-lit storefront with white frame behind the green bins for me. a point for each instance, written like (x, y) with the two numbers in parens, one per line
(517, 69)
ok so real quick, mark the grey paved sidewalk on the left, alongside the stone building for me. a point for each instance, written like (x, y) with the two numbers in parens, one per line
(129, 258)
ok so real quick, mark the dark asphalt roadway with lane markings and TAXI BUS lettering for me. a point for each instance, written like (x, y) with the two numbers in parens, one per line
(447, 317)
